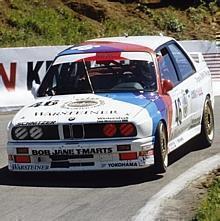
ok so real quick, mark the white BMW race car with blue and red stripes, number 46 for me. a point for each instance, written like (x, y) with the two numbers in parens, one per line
(113, 103)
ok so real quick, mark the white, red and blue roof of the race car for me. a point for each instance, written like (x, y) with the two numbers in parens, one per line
(118, 44)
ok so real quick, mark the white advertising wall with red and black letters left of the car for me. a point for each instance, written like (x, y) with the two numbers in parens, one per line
(19, 67)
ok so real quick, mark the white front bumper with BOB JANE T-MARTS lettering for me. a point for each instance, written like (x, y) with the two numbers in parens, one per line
(80, 156)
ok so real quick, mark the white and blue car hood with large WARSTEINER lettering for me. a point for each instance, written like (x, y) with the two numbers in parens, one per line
(86, 108)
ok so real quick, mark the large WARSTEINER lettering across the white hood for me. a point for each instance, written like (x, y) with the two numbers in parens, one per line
(75, 113)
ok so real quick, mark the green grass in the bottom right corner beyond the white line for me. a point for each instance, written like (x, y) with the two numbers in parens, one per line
(210, 206)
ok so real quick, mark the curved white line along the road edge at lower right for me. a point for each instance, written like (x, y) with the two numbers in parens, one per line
(152, 208)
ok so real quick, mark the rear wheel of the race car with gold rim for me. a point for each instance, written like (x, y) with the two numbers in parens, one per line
(206, 136)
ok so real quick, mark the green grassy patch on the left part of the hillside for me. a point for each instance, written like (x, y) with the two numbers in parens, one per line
(43, 26)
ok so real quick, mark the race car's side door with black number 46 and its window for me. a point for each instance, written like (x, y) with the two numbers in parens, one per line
(180, 94)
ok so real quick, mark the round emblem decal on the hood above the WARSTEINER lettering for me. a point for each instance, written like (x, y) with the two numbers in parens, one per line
(83, 103)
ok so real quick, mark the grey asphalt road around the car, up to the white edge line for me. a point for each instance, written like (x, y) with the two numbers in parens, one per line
(88, 196)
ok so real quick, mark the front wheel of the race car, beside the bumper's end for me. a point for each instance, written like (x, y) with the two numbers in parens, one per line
(160, 149)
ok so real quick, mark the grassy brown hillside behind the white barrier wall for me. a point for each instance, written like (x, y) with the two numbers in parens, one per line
(58, 22)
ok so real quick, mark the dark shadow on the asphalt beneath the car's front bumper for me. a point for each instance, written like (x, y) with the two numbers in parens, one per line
(77, 179)
